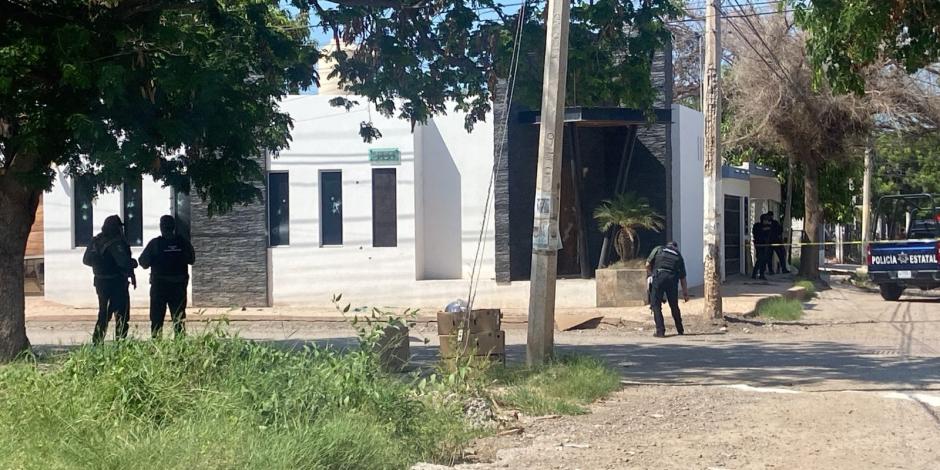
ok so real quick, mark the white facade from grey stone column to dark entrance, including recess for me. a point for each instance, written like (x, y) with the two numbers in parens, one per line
(442, 185)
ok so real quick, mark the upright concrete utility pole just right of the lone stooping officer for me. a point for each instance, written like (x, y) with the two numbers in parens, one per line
(713, 199)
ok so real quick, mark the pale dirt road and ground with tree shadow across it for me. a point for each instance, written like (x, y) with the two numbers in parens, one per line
(854, 385)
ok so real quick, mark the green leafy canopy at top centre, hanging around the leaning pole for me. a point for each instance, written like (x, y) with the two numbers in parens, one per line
(612, 43)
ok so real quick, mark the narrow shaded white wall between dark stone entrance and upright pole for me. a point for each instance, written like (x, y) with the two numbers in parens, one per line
(688, 197)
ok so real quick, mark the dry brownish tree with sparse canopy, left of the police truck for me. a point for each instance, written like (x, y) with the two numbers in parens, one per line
(776, 106)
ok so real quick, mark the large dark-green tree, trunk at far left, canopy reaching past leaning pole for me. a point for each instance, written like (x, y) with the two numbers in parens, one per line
(187, 91)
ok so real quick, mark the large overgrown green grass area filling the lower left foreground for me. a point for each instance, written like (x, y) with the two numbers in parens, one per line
(218, 403)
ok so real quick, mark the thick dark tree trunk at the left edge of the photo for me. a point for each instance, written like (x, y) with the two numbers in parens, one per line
(17, 212)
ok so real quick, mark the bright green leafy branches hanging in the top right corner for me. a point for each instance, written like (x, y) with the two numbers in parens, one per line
(846, 37)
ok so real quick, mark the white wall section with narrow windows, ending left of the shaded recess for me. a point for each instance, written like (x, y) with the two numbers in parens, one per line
(327, 138)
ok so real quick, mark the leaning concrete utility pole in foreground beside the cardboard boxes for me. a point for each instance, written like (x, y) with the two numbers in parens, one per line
(546, 240)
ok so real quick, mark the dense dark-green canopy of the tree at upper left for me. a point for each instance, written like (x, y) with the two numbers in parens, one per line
(178, 89)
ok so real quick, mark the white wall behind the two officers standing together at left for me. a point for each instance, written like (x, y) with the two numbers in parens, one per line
(67, 280)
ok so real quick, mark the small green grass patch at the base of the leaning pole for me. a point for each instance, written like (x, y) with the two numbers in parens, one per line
(563, 387)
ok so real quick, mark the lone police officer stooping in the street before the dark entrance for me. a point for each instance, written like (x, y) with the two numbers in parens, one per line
(666, 266)
